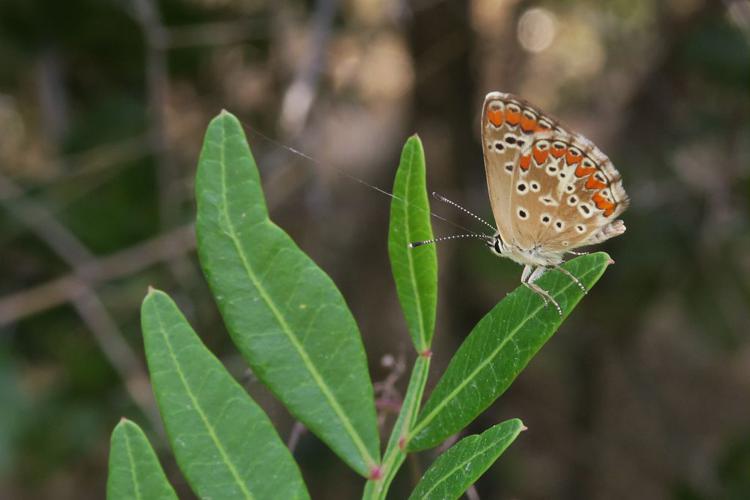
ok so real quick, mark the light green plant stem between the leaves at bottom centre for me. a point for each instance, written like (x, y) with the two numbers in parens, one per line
(376, 489)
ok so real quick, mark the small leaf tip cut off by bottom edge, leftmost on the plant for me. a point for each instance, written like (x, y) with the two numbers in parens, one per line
(134, 470)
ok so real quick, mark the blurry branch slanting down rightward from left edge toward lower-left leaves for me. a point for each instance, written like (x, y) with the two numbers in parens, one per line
(106, 333)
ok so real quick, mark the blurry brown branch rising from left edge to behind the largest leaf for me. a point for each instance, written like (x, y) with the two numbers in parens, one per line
(126, 262)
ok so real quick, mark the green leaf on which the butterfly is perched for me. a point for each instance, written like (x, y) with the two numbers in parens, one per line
(498, 348)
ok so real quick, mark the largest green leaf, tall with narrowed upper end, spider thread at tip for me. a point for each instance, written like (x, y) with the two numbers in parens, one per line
(285, 314)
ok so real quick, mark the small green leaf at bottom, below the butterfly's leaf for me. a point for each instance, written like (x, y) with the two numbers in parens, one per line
(459, 467)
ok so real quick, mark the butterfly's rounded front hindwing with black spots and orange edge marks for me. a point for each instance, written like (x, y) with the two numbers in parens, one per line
(571, 191)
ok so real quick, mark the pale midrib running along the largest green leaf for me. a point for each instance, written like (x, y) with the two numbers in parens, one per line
(340, 414)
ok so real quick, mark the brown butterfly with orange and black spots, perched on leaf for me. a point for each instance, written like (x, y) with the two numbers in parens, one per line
(551, 190)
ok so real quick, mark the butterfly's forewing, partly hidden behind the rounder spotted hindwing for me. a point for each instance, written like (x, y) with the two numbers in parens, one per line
(508, 124)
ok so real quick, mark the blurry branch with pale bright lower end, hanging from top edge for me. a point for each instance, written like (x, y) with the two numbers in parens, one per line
(300, 95)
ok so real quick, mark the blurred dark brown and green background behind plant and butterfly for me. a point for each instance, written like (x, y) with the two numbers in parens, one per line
(643, 393)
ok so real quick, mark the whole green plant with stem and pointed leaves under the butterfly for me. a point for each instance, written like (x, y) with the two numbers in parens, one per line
(295, 330)
